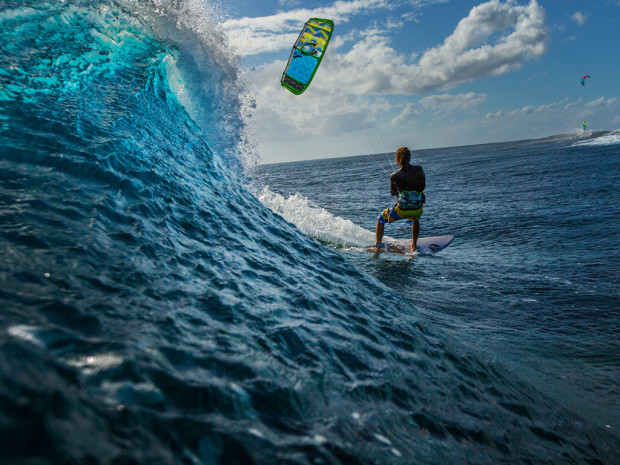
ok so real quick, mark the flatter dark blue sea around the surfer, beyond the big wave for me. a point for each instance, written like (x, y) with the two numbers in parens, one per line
(532, 277)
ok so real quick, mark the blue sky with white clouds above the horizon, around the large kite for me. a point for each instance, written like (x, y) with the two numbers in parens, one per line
(428, 73)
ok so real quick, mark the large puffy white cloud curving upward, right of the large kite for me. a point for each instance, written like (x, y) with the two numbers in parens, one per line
(372, 65)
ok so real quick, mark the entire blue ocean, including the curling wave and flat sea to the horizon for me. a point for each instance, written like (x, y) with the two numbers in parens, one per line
(164, 299)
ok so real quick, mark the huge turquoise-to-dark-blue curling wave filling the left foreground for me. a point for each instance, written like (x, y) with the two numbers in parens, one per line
(155, 311)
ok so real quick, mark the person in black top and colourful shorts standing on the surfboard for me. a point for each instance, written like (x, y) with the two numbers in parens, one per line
(407, 184)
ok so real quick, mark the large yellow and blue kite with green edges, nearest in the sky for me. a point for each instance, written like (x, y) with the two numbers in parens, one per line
(307, 54)
